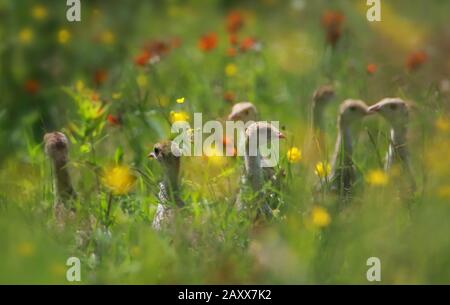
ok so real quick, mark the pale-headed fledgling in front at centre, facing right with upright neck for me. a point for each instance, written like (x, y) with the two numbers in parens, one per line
(253, 179)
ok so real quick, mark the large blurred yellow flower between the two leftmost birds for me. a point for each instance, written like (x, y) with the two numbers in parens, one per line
(119, 179)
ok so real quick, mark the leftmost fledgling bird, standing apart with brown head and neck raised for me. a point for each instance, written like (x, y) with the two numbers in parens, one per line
(57, 149)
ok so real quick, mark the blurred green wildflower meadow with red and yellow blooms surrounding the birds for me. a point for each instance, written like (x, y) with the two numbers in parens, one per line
(89, 80)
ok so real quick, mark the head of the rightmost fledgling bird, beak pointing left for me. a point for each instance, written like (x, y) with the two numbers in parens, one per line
(394, 110)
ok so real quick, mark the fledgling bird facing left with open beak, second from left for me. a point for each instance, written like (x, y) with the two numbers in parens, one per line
(168, 156)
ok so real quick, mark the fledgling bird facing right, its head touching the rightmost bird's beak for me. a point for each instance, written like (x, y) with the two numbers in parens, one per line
(342, 167)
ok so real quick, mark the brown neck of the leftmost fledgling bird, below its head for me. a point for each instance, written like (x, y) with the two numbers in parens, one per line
(62, 181)
